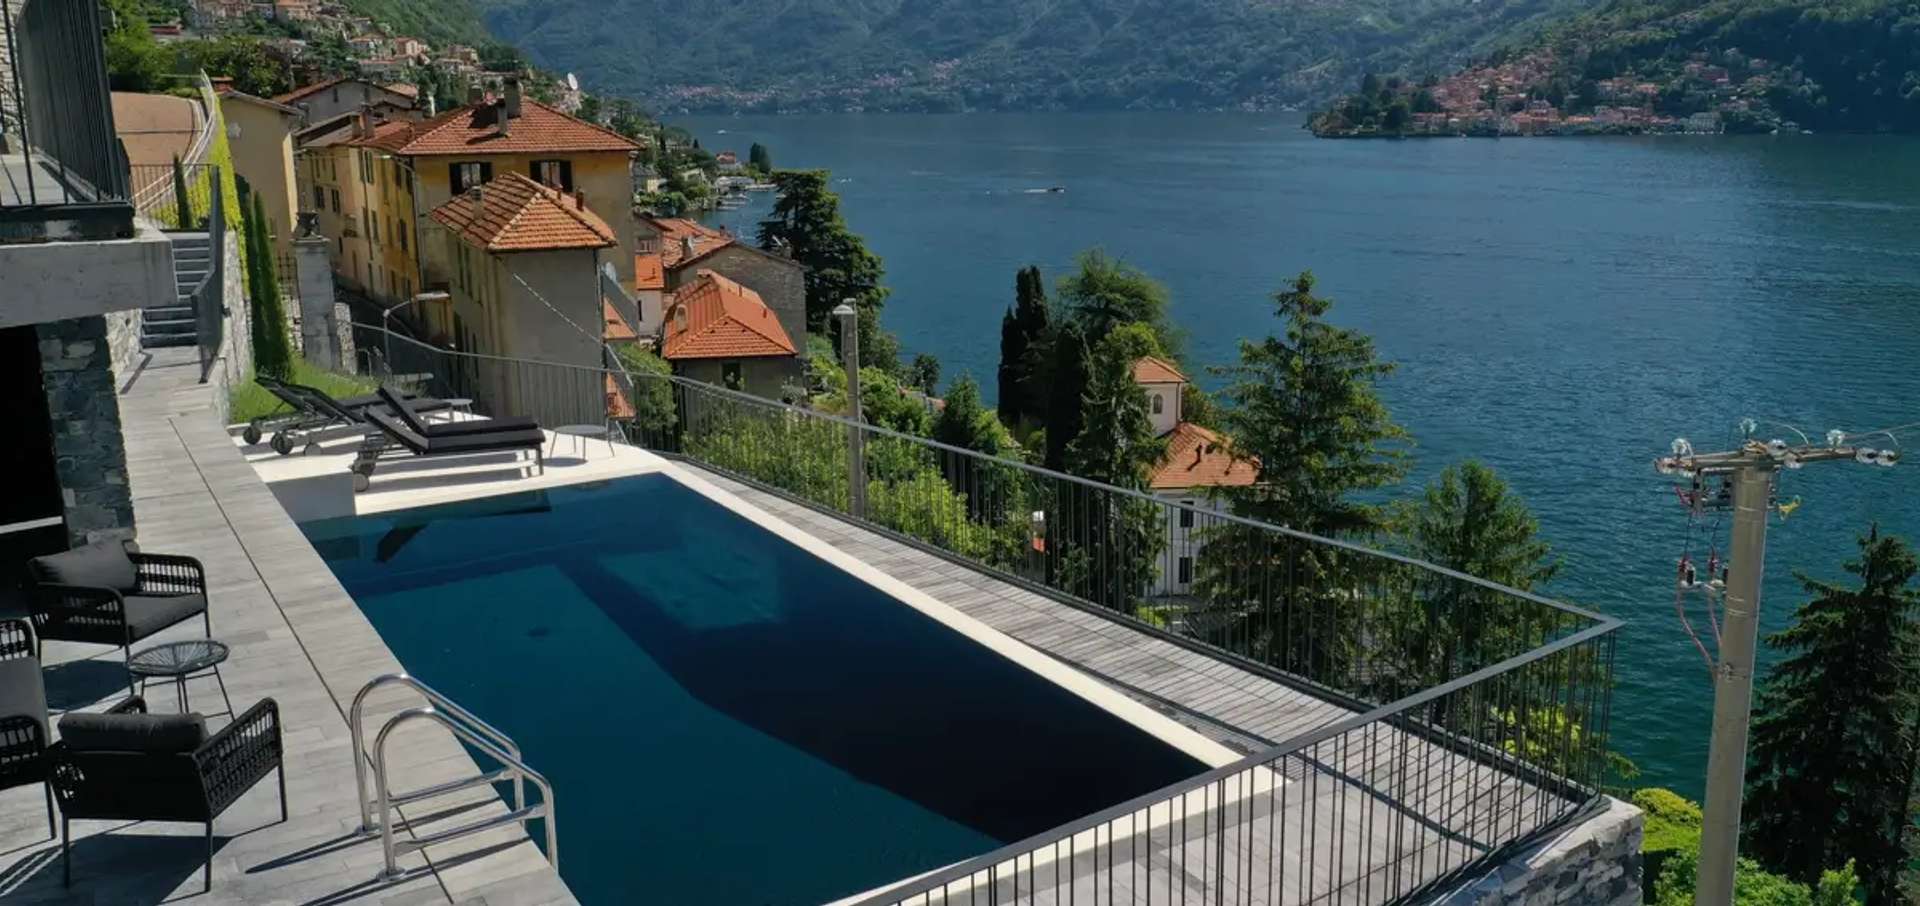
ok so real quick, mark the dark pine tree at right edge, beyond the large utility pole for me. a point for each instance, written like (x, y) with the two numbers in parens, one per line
(1835, 736)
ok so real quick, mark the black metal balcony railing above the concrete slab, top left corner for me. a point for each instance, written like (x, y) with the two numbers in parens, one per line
(57, 116)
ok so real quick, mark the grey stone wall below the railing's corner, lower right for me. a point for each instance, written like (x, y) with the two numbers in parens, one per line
(1589, 863)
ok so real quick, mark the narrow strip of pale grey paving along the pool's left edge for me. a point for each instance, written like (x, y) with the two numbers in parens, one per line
(345, 652)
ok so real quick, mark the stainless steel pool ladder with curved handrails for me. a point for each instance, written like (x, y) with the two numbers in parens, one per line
(471, 730)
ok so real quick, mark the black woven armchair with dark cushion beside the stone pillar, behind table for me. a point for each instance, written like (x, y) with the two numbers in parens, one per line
(108, 596)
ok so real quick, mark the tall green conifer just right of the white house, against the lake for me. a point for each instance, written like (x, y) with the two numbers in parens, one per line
(1305, 406)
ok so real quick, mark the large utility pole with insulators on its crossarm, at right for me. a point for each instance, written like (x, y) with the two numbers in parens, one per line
(1750, 475)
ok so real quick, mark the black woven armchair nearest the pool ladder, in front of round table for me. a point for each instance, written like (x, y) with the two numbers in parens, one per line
(130, 769)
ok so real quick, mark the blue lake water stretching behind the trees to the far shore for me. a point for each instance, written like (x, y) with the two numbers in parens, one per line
(1560, 310)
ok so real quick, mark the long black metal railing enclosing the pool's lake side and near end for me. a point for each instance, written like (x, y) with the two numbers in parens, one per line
(1464, 717)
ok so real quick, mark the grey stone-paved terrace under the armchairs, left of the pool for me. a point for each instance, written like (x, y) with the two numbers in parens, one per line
(297, 638)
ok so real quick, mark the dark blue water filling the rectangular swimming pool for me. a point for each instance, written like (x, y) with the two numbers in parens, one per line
(725, 717)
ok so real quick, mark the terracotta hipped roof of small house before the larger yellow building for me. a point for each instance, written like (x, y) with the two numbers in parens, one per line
(516, 214)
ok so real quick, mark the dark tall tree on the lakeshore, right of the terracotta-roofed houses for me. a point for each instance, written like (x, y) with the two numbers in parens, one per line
(807, 224)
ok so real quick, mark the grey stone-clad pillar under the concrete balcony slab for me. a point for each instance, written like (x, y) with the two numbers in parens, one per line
(84, 408)
